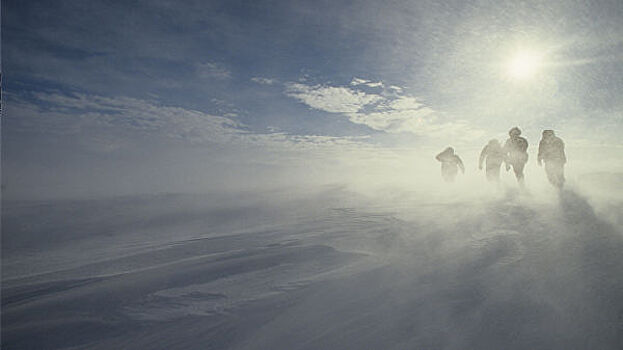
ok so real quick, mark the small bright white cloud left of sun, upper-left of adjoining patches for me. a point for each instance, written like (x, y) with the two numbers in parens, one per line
(331, 99)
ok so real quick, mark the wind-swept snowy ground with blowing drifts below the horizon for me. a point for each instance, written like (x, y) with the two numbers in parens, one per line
(324, 270)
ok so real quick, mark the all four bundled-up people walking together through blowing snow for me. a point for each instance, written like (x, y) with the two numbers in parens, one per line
(513, 154)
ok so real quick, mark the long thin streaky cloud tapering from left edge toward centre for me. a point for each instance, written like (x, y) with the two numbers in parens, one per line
(60, 114)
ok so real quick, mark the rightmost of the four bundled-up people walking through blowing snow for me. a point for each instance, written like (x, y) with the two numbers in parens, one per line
(552, 151)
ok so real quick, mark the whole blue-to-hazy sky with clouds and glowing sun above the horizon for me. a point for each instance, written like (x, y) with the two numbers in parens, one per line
(109, 97)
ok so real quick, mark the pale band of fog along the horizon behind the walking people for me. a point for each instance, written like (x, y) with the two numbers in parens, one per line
(67, 168)
